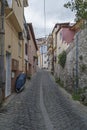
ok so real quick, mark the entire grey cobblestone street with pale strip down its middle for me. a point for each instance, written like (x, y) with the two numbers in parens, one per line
(42, 105)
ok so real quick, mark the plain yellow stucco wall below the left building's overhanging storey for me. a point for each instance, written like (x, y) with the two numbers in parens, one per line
(11, 38)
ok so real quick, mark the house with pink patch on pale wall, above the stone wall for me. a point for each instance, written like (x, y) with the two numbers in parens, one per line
(63, 35)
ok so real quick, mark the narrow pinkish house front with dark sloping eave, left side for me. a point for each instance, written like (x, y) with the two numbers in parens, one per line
(32, 51)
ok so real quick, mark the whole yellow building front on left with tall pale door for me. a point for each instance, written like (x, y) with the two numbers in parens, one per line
(14, 43)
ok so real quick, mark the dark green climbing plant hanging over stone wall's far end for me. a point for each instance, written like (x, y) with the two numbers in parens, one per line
(62, 59)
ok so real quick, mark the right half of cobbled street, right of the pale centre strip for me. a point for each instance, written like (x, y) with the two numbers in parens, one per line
(64, 113)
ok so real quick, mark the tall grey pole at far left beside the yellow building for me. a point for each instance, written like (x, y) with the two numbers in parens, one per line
(2, 47)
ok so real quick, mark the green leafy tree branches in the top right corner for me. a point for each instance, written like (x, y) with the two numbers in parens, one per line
(80, 8)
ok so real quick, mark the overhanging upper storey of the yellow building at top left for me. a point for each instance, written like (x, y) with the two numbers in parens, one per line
(14, 12)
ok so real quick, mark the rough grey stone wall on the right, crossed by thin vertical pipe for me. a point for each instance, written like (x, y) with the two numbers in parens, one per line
(68, 74)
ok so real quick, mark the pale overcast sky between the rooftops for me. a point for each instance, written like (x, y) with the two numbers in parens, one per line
(55, 13)
